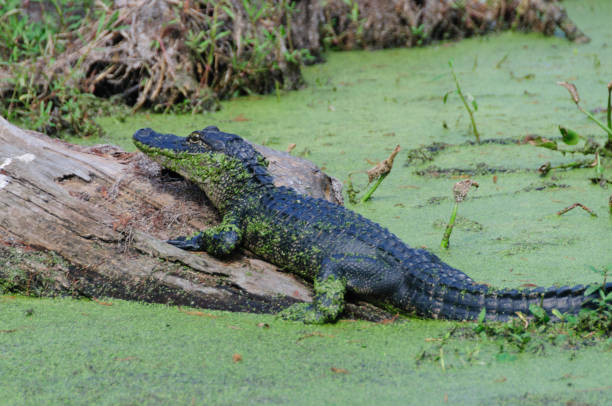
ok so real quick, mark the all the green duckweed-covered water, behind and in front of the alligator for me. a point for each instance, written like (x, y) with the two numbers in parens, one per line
(355, 109)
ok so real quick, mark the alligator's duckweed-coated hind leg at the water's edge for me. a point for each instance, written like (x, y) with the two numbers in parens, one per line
(327, 304)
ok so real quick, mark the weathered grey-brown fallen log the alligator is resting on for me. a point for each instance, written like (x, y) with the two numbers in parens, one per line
(92, 222)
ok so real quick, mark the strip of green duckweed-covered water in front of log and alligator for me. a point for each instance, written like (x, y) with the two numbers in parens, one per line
(65, 351)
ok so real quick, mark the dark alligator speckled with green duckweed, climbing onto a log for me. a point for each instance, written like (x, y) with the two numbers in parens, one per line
(340, 251)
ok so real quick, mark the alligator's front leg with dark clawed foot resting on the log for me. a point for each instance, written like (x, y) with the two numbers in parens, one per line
(219, 241)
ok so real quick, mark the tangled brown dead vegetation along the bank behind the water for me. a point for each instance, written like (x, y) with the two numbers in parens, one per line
(189, 54)
